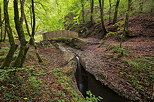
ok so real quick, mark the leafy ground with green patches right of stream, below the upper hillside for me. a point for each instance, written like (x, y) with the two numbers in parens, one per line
(132, 71)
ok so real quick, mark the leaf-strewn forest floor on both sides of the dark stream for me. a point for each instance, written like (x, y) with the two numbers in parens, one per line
(132, 71)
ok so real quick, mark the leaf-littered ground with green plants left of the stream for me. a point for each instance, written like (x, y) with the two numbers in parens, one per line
(39, 82)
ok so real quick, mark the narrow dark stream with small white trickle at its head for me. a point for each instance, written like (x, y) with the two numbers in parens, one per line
(87, 81)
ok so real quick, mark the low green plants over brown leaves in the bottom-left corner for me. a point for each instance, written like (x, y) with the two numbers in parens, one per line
(19, 84)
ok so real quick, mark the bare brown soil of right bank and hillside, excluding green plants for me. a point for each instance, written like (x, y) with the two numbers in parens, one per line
(106, 67)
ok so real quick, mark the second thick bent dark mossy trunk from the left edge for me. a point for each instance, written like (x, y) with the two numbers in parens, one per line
(19, 60)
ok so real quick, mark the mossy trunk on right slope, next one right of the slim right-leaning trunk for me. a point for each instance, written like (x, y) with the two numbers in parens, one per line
(126, 32)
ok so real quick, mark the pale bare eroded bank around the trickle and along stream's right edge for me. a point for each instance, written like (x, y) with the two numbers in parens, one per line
(105, 69)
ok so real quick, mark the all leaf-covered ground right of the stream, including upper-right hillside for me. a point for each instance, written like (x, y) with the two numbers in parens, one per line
(128, 68)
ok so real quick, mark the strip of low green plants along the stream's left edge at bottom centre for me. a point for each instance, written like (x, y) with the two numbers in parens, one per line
(66, 83)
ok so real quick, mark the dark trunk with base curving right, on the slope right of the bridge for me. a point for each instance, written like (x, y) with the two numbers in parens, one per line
(101, 5)
